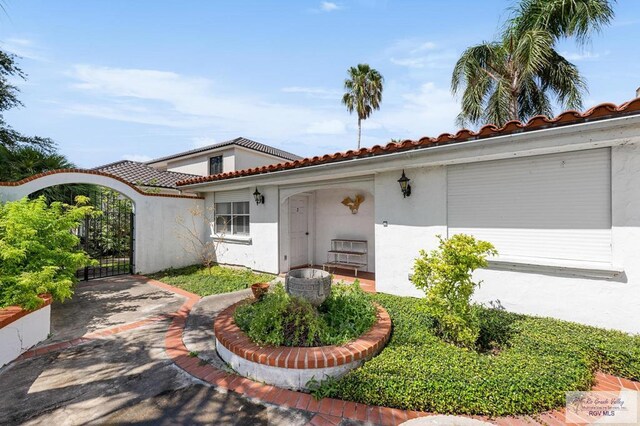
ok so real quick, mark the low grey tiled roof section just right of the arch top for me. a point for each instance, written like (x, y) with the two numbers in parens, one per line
(138, 173)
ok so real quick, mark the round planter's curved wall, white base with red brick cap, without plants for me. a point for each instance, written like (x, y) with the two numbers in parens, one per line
(293, 367)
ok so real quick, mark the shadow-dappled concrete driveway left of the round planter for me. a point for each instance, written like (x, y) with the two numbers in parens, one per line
(123, 377)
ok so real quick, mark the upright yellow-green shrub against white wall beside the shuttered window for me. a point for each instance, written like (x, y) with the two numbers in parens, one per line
(445, 276)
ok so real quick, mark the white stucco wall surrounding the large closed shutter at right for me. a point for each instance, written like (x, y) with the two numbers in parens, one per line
(414, 222)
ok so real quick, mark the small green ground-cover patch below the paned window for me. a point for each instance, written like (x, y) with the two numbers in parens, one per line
(205, 282)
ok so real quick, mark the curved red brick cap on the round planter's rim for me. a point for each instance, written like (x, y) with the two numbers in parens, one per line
(236, 341)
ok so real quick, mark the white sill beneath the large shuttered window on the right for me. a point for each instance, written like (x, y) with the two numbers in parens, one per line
(591, 270)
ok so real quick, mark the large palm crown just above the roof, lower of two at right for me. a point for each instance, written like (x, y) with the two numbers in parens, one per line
(514, 78)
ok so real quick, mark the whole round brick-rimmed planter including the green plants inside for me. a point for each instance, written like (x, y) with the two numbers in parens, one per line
(291, 344)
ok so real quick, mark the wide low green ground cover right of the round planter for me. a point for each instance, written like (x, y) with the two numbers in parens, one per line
(527, 366)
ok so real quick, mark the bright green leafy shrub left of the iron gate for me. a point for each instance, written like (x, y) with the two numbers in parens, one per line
(38, 252)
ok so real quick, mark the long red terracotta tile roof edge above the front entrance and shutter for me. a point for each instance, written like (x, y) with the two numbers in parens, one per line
(599, 112)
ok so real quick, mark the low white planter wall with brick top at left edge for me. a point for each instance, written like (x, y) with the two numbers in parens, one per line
(21, 329)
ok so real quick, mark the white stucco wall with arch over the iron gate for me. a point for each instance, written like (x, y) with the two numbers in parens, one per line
(157, 245)
